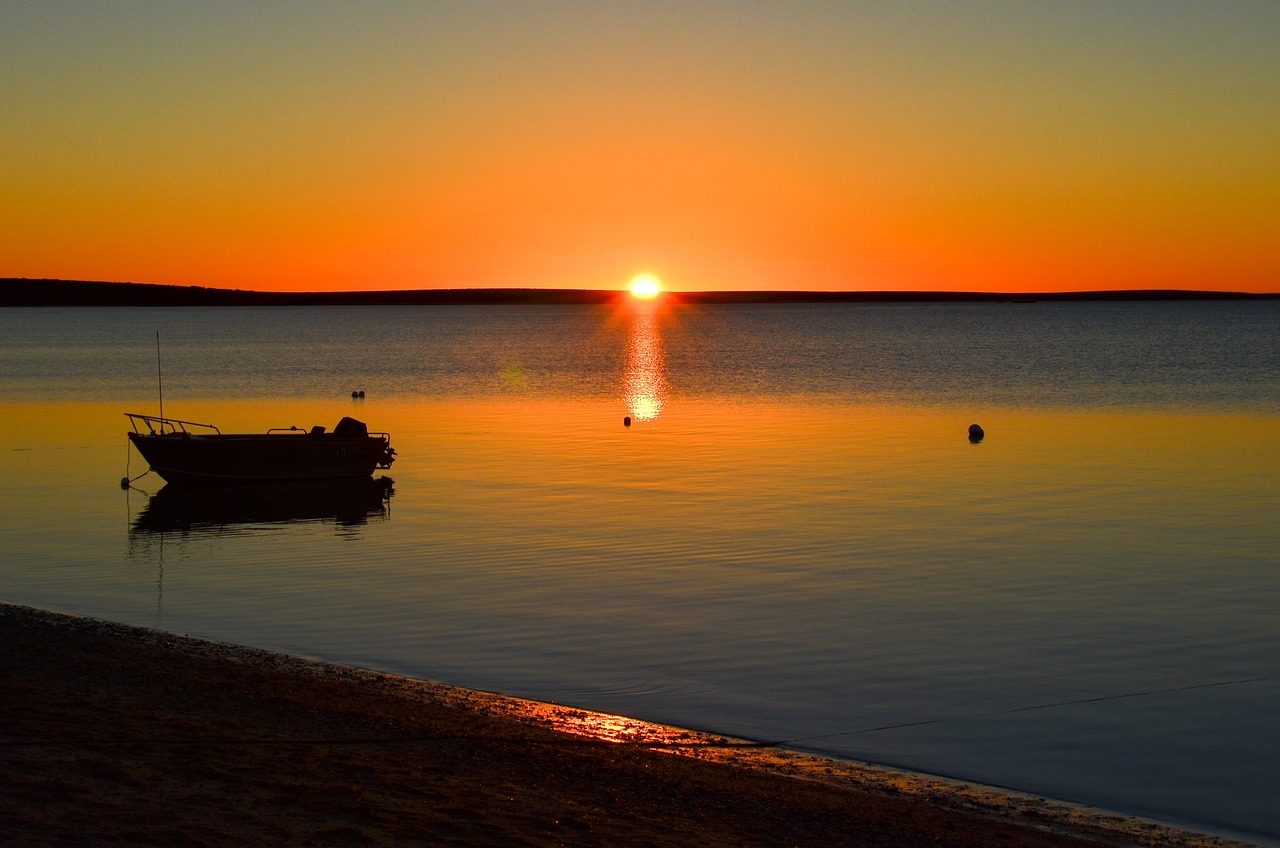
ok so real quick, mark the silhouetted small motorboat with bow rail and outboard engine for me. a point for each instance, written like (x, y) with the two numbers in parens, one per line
(202, 454)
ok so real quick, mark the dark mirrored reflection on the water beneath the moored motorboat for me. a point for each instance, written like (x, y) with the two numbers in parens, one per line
(200, 509)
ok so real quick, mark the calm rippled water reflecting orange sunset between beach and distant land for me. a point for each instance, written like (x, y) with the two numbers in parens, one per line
(796, 539)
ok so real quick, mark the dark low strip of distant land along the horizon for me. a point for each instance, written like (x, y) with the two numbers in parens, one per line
(16, 291)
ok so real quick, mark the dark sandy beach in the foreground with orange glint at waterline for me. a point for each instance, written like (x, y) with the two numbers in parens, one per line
(122, 736)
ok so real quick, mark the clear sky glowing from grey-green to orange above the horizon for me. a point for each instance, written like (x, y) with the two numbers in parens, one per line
(903, 145)
